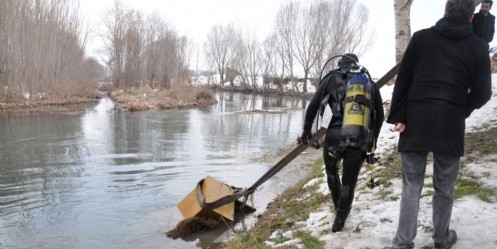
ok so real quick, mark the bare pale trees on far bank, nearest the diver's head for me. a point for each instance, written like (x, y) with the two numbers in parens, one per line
(303, 38)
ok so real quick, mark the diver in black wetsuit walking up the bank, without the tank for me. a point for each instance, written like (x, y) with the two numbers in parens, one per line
(334, 85)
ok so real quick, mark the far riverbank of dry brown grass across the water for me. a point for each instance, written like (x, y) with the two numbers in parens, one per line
(178, 96)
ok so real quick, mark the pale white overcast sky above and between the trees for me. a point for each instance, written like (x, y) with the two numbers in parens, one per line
(194, 18)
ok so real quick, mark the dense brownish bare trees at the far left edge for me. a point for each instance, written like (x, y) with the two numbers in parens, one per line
(41, 47)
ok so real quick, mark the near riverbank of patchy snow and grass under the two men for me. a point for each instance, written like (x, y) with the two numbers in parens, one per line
(302, 215)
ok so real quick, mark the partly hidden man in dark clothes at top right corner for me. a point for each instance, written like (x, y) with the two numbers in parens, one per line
(484, 22)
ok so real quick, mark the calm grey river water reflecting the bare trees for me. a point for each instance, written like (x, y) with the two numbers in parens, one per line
(94, 176)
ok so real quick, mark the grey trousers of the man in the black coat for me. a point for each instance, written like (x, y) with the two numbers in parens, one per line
(445, 171)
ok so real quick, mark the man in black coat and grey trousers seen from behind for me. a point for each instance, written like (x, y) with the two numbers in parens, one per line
(444, 75)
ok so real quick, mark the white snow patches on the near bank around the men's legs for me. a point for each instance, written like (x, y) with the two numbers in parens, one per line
(373, 220)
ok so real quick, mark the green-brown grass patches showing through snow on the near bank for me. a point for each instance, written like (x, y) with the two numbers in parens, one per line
(291, 209)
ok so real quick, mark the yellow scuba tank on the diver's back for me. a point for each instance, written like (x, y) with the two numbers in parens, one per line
(356, 132)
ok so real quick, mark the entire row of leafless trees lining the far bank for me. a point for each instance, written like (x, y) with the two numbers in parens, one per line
(43, 47)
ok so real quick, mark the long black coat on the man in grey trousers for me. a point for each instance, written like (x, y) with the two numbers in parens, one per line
(444, 75)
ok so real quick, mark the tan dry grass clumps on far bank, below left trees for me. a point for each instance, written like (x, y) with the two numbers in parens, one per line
(180, 95)
